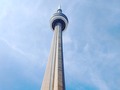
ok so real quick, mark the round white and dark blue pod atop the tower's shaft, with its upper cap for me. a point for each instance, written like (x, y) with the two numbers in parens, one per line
(59, 17)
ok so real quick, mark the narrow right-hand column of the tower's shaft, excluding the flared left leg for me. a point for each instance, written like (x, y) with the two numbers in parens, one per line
(59, 82)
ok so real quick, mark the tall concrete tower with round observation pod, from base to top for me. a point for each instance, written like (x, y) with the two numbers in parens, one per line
(54, 74)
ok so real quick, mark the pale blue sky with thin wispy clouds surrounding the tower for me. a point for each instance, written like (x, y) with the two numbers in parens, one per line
(91, 43)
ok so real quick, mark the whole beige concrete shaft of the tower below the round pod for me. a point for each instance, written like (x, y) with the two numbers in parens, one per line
(54, 74)
